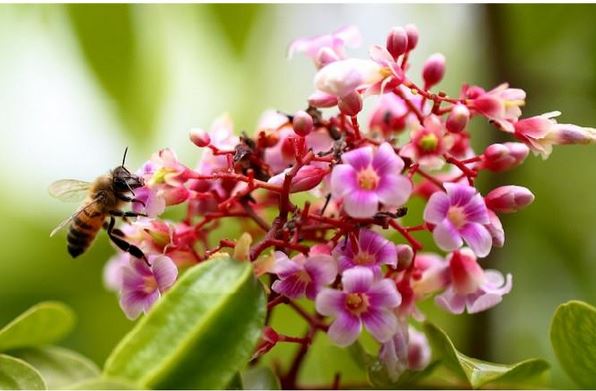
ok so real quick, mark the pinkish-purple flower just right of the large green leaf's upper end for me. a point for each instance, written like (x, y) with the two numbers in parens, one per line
(302, 275)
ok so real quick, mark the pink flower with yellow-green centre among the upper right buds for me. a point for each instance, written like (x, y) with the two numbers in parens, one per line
(428, 144)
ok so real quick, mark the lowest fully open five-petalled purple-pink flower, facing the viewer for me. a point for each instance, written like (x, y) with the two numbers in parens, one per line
(362, 300)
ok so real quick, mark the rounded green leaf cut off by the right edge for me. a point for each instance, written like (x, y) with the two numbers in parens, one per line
(573, 335)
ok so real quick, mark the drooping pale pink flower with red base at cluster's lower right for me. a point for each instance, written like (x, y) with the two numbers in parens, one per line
(471, 287)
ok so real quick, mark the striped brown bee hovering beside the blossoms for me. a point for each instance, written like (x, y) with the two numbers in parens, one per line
(102, 199)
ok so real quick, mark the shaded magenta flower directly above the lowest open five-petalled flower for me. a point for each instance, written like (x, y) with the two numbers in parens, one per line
(372, 251)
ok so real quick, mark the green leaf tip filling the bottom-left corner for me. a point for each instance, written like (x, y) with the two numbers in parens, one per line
(16, 374)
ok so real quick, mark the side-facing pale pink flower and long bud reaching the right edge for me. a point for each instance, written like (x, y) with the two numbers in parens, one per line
(541, 132)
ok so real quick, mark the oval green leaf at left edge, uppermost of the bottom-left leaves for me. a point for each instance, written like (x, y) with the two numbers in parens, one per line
(42, 324)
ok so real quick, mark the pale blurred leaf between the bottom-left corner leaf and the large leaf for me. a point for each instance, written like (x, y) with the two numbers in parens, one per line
(59, 367)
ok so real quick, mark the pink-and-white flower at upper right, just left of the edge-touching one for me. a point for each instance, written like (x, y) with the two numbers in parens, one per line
(501, 104)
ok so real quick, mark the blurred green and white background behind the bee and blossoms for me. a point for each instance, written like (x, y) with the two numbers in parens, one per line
(80, 82)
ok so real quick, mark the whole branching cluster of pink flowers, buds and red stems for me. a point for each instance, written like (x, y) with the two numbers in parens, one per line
(331, 245)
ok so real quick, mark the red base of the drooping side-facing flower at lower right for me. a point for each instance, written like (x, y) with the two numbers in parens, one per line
(466, 274)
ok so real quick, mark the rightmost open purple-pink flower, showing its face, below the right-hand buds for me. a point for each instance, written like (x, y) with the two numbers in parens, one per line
(459, 213)
